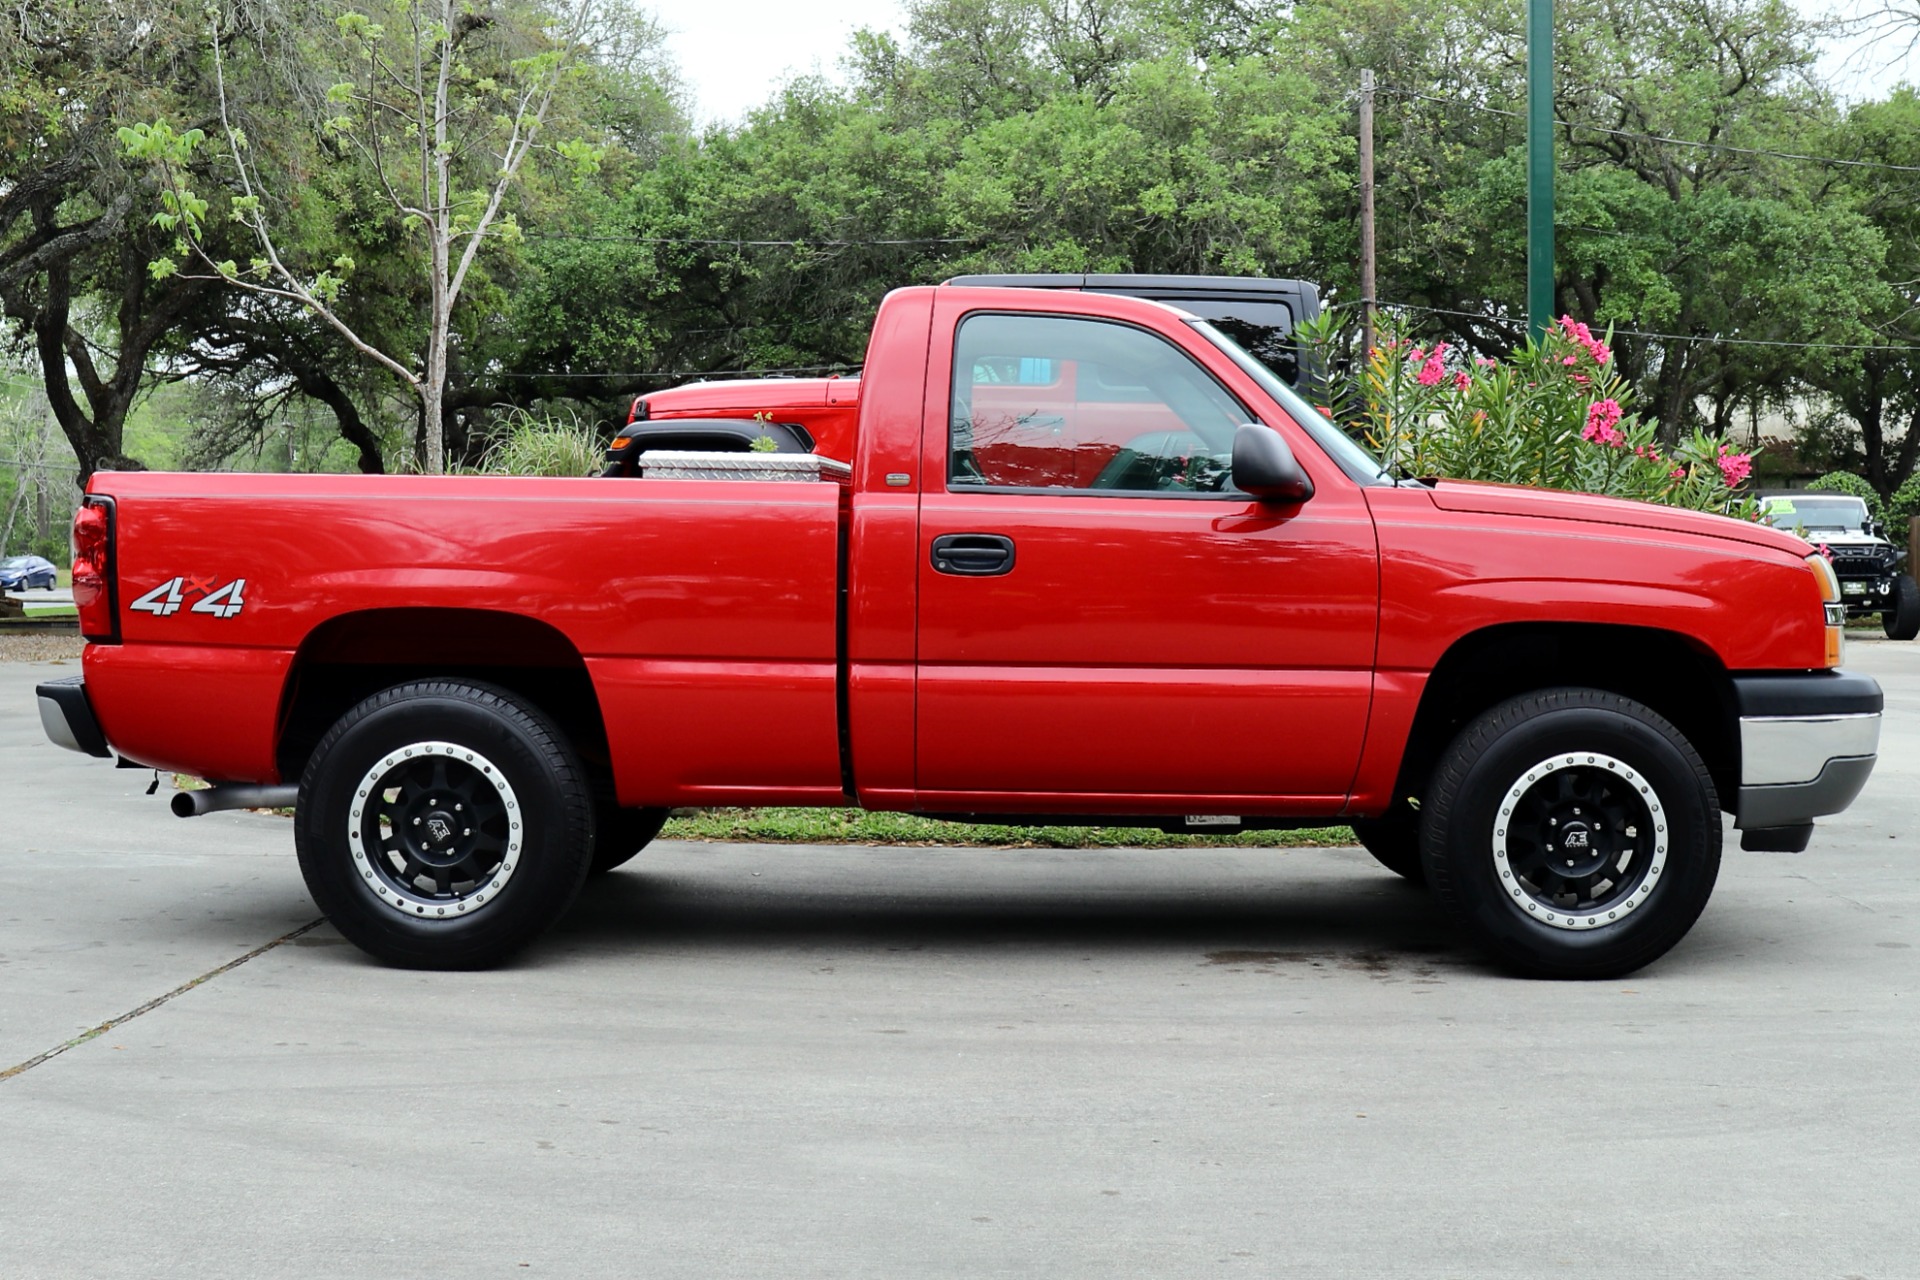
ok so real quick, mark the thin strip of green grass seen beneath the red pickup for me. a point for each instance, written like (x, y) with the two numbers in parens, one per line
(796, 826)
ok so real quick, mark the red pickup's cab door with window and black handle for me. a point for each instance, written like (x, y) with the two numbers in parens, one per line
(1132, 632)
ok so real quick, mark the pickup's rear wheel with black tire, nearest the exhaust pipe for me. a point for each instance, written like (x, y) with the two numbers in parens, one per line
(444, 826)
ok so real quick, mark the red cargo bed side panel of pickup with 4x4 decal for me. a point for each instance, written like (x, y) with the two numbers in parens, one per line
(700, 613)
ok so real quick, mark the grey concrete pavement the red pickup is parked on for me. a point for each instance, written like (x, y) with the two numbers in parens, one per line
(894, 1062)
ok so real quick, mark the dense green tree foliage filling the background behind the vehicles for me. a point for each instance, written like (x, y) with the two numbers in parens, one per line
(996, 135)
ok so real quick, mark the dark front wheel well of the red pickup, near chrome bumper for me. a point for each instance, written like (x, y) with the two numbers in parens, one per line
(1669, 673)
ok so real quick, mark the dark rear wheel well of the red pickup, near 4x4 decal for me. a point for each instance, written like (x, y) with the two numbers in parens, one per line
(352, 657)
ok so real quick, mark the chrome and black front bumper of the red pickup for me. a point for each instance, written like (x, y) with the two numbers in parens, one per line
(1808, 746)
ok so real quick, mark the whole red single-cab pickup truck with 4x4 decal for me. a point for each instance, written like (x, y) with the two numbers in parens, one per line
(1090, 559)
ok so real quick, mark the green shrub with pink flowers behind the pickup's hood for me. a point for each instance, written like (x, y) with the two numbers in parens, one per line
(1554, 415)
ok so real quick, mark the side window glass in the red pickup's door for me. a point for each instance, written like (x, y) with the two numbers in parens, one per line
(1049, 402)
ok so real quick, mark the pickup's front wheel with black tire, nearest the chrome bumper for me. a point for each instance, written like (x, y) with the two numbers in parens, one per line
(1575, 834)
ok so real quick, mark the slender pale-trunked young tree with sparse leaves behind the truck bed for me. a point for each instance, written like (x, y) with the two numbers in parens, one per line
(444, 105)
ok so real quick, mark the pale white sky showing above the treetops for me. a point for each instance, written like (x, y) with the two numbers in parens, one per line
(734, 53)
